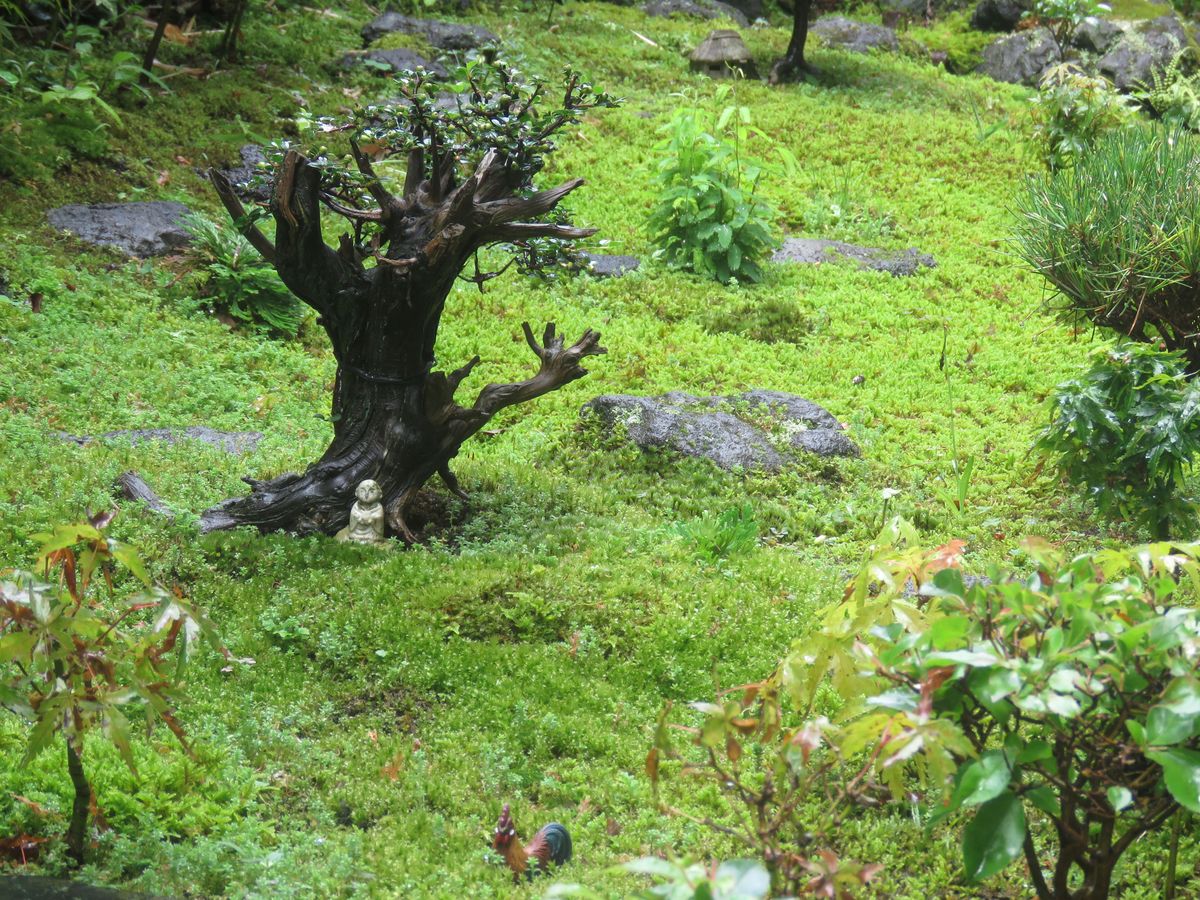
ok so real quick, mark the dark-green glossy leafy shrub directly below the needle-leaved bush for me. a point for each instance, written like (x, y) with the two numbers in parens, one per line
(1127, 433)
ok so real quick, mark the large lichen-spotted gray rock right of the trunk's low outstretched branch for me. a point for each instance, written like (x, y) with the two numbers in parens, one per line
(711, 428)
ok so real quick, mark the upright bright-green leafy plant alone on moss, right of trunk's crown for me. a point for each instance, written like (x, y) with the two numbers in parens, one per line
(709, 218)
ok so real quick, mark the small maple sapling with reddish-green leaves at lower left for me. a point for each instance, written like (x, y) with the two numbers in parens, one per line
(73, 664)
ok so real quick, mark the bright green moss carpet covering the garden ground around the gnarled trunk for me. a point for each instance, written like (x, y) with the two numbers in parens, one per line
(399, 699)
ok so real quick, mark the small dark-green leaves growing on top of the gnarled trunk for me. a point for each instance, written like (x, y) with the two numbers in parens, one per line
(490, 107)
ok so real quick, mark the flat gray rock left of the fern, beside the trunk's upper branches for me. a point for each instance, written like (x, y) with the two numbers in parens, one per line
(137, 230)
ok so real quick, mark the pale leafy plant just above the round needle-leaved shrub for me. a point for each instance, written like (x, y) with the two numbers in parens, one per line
(1071, 112)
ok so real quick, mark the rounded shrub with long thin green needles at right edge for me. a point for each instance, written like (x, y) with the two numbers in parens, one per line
(1118, 237)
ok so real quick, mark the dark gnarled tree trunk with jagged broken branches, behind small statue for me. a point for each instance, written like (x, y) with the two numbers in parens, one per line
(395, 419)
